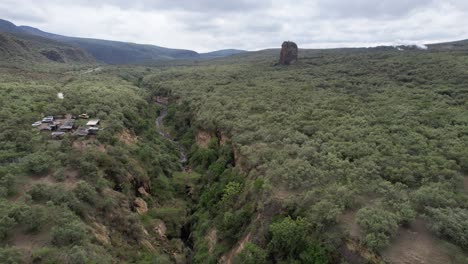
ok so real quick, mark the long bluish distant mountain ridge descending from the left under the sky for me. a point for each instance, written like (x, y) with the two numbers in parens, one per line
(116, 52)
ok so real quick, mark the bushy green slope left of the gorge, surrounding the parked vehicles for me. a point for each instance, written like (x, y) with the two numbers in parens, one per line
(59, 202)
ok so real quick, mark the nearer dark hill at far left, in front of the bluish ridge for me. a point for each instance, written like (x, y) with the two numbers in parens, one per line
(18, 48)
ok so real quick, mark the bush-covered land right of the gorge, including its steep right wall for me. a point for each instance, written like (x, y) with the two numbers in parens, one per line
(349, 155)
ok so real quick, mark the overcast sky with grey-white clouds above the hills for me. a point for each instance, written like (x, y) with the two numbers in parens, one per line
(205, 25)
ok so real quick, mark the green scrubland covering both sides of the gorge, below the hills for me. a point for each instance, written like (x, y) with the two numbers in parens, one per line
(379, 135)
